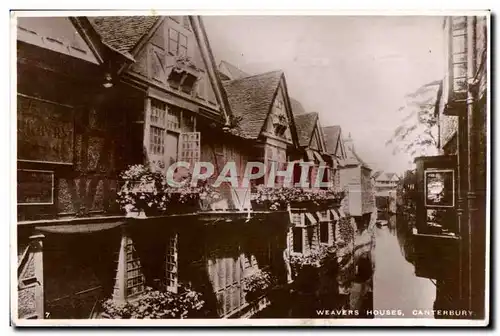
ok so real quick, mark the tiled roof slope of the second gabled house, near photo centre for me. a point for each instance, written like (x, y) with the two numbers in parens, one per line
(251, 99)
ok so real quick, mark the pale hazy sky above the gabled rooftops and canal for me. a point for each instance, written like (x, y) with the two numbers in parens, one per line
(353, 70)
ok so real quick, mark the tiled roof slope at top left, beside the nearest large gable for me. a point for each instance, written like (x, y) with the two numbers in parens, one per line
(123, 33)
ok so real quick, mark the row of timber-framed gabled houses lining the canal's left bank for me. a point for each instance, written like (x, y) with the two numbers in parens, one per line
(146, 91)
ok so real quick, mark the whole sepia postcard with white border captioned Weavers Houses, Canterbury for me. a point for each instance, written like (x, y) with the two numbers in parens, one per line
(250, 169)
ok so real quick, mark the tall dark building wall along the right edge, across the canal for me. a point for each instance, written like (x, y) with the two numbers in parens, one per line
(463, 123)
